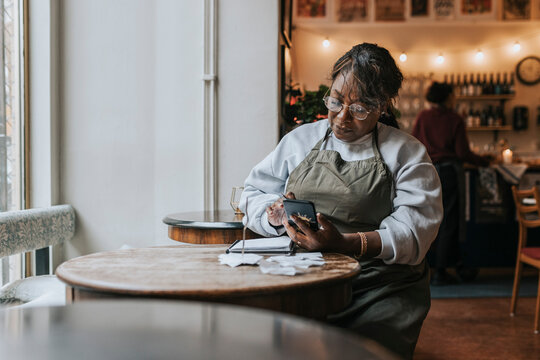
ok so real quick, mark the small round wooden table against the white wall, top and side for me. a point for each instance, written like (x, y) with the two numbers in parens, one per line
(207, 227)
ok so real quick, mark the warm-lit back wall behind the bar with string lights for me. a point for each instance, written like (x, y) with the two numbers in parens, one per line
(458, 41)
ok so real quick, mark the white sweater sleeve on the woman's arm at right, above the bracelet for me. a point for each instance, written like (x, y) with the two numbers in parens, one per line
(407, 233)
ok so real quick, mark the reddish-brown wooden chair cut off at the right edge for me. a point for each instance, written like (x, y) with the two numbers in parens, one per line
(528, 215)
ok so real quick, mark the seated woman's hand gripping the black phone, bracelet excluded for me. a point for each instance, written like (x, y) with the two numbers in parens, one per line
(327, 237)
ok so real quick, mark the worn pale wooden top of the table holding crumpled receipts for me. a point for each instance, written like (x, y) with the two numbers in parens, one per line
(188, 271)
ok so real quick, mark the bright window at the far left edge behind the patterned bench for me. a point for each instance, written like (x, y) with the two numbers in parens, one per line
(11, 121)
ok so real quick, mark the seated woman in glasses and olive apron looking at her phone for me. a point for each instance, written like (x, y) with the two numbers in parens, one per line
(376, 191)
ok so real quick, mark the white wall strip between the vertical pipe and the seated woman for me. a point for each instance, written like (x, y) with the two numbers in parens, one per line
(248, 89)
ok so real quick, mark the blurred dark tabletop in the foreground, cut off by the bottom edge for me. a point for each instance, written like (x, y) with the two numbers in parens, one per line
(153, 329)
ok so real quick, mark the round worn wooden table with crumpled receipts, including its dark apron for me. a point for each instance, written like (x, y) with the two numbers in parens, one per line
(193, 272)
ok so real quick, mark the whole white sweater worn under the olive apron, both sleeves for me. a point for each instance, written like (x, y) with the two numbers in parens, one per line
(406, 233)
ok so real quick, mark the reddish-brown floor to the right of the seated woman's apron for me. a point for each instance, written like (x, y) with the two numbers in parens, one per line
(478, 329)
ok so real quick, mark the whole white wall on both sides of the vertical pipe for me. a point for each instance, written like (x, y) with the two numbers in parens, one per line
(132, 129)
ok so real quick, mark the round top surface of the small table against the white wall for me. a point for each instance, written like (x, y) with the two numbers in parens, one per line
(218, 219)
